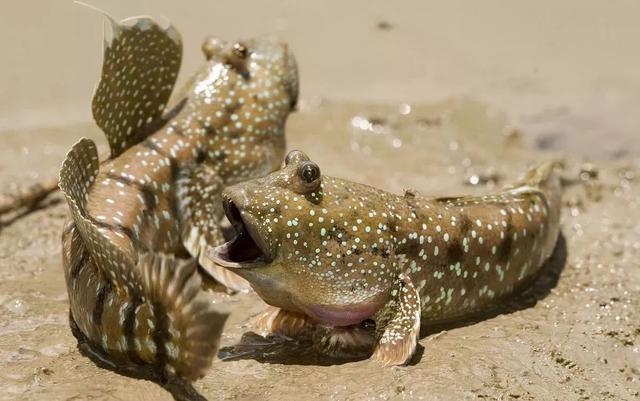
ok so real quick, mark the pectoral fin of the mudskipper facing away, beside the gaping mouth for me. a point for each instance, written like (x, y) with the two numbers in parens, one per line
(200, 213)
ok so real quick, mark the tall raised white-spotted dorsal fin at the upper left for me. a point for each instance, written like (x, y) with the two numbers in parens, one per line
(139, 70)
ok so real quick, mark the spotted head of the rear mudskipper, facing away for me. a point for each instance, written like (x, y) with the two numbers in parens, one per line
(255, 82)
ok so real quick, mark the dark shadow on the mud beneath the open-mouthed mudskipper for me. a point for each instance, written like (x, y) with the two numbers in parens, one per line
(282, 350)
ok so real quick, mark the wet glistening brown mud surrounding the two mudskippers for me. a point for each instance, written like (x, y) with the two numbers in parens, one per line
(574, 335)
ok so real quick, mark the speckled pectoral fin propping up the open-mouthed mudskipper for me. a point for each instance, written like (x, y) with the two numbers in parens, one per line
(398, 325)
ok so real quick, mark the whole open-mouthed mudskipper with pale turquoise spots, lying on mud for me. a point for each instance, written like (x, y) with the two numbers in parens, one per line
(341, 252)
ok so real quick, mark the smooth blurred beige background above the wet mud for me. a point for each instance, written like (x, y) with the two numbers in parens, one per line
(568, 69)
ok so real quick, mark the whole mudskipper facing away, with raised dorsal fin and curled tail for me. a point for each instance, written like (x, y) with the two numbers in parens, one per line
(155, 201)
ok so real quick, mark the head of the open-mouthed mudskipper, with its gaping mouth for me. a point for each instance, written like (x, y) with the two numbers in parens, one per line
(310, 243)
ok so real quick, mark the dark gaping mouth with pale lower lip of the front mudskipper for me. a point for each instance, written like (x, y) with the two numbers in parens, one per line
(247, 249)
